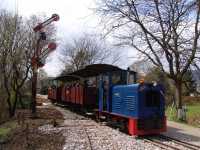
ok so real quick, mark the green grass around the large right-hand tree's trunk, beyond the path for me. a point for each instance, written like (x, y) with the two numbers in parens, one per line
(192, 114)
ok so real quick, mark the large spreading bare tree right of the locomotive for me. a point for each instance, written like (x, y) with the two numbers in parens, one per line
(166, 32)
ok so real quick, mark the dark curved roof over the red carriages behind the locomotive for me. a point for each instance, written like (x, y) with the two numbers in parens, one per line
(89, 71)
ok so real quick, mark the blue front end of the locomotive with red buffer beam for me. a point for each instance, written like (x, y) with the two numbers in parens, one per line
(151, 111)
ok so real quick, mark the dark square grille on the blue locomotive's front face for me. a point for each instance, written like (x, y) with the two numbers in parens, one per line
(152, 99)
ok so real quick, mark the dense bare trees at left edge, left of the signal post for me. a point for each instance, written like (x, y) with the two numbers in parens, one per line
(17, 44)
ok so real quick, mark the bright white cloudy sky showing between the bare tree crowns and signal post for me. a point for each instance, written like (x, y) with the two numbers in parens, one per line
(75, 17)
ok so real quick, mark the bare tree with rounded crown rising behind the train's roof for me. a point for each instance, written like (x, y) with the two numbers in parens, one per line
(83, 51)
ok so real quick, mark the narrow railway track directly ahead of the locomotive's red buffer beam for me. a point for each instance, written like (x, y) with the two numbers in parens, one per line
(161, 140)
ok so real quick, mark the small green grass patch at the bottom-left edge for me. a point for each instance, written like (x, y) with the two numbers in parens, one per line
(6, 129)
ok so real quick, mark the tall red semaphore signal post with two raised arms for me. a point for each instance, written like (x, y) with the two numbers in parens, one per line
(38, 59)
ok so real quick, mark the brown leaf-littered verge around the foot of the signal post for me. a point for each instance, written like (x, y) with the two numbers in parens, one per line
(25, 136)
